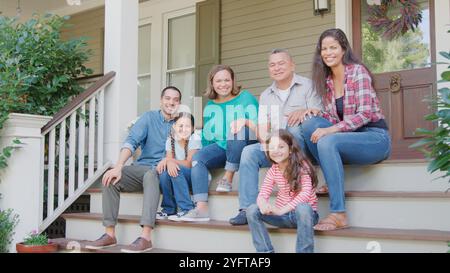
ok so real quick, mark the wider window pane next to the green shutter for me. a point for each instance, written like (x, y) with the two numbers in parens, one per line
(180, 68)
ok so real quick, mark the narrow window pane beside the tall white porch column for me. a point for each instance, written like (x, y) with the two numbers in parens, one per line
(144, 64)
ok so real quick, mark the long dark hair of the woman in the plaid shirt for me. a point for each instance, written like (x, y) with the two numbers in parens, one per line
(321, 71)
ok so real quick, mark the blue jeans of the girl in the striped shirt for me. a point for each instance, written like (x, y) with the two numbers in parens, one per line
(304, 218)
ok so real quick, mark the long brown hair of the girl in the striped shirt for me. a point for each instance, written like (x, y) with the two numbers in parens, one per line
(298, 163)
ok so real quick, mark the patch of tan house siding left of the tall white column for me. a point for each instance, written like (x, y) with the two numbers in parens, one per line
(89, 24)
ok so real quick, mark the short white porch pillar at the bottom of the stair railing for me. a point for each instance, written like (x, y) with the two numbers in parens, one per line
(20, 184)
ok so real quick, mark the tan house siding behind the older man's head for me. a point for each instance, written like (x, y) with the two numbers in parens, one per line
(251, 28)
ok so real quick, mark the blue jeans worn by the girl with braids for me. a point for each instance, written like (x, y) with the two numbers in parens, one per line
(175, 191)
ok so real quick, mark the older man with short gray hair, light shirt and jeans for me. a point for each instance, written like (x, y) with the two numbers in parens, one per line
(281, 106)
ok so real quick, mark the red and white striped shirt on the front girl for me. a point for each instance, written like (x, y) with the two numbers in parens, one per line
(285, 197)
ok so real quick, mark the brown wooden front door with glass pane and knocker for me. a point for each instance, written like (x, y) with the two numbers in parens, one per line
(403, 73)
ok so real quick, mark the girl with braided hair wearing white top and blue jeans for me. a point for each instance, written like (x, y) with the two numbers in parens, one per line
(175, 170)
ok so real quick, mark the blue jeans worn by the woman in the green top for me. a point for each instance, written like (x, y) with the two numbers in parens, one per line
(213, 157)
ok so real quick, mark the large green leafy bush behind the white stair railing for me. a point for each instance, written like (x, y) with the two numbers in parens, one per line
(38, 69)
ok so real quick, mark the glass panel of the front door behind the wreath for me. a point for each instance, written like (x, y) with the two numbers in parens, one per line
(406, 52)
